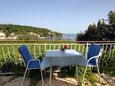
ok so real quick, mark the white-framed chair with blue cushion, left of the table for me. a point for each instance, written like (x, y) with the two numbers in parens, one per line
(29, 62)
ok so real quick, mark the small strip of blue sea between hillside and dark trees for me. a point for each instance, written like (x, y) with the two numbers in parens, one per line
(69, 36)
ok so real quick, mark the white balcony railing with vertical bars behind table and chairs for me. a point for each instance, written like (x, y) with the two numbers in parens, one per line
(9, 52)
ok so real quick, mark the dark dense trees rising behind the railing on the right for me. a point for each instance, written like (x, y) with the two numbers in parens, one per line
(104, 30)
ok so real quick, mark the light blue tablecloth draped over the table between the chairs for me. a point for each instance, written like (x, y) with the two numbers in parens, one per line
(60, 58)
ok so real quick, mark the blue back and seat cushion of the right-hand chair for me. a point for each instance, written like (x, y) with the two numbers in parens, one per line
(93, 50)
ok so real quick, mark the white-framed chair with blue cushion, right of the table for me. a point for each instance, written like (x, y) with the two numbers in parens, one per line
(94, 52)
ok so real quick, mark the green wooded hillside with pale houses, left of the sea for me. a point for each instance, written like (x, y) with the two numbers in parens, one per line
(22, 31)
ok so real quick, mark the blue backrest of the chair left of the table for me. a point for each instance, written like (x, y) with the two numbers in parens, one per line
(25, 53)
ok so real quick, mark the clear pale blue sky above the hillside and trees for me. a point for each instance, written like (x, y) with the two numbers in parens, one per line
(65, 16)
